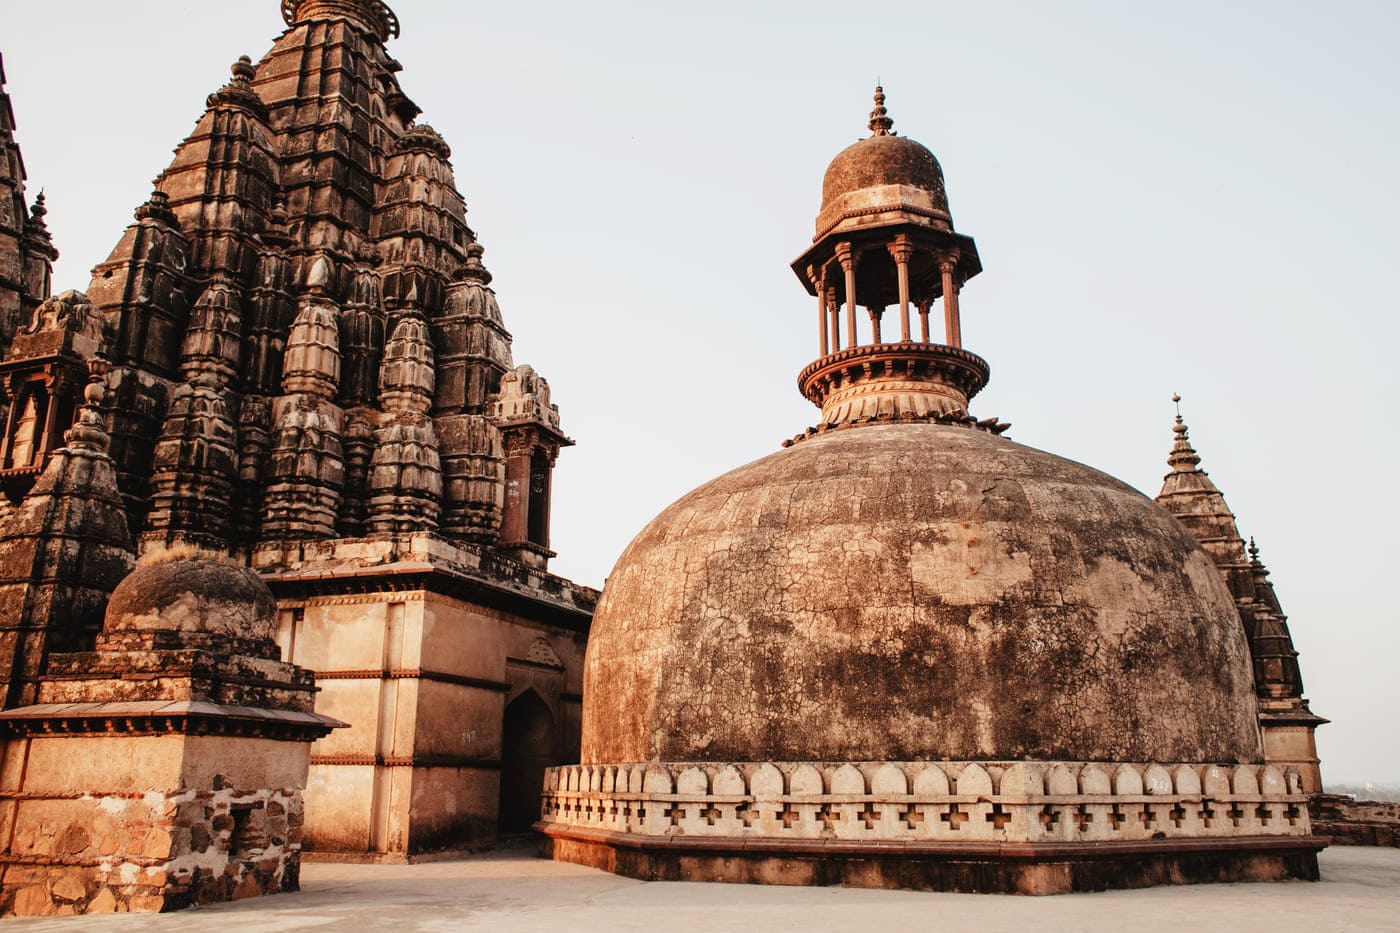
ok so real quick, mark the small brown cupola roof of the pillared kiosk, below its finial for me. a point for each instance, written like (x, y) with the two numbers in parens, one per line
(884, 173)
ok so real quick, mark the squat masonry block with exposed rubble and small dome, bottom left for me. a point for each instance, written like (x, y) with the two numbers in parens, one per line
(166, 768)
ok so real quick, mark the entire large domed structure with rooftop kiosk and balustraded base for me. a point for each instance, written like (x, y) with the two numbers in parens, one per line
(909, 652)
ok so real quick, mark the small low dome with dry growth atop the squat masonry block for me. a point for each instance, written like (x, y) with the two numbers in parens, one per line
(197, 597)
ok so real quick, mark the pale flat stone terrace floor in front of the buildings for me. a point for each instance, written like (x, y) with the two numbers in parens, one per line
(510, 892)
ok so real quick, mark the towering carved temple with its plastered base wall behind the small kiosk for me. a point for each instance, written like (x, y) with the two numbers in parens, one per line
(310, 375)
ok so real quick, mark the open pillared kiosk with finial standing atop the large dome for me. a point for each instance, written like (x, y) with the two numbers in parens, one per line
(885, 243)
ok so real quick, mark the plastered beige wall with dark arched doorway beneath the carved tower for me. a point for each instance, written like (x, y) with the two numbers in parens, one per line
(429, 684)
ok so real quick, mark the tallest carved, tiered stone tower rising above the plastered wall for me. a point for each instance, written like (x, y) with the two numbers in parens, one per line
(328, 242)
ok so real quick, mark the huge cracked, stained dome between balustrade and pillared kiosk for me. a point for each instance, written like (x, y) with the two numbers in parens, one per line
(916, 592)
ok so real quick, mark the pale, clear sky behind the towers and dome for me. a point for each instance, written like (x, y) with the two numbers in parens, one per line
(1193, 198)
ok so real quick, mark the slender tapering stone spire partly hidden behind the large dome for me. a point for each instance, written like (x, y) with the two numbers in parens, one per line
(1287, 724)
